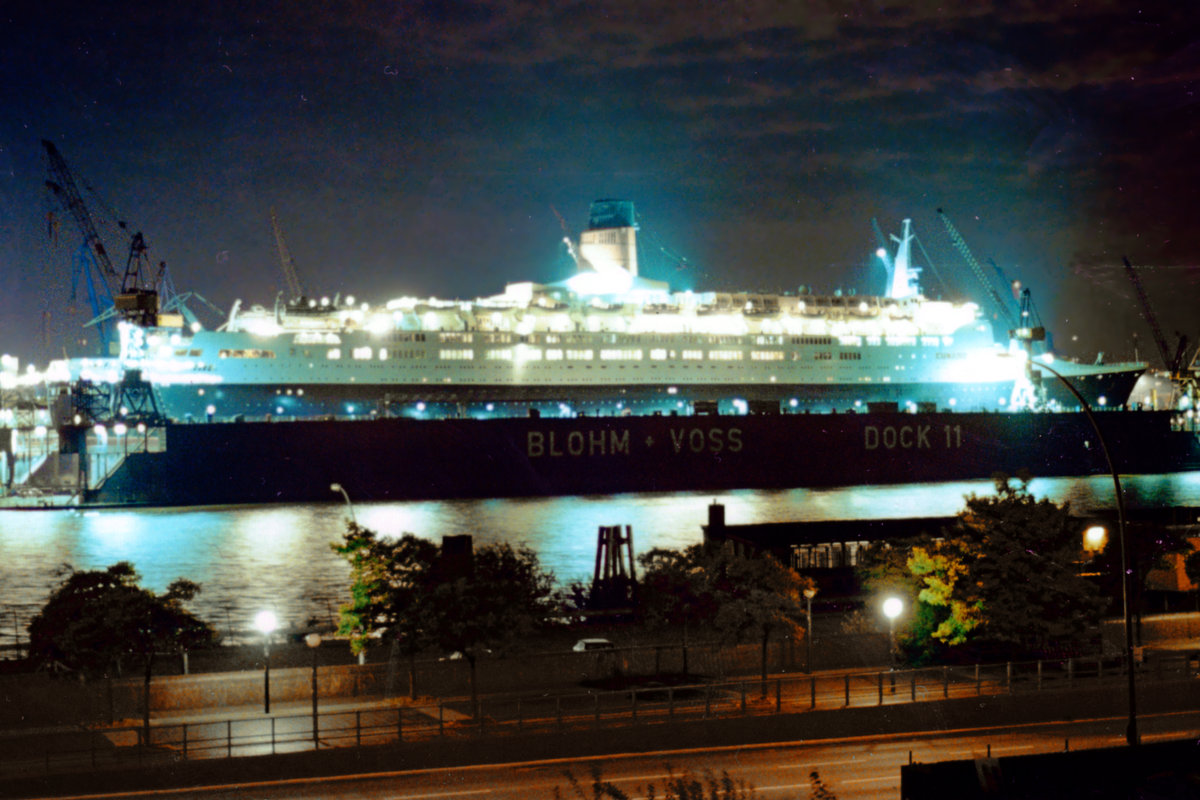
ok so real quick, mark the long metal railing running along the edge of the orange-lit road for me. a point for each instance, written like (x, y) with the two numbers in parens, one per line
(393, 723)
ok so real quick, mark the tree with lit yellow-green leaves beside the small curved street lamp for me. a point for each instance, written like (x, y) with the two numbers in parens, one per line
(387, 581)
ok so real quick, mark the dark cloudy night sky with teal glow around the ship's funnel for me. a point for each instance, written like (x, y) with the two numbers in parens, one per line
(424, 149)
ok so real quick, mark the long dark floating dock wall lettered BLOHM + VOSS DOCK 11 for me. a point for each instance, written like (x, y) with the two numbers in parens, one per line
(411, 460)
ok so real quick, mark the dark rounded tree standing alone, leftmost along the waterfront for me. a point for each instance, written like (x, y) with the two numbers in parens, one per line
(95, 619)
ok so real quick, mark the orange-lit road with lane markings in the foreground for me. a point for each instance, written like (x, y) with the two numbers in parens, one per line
(854, 769)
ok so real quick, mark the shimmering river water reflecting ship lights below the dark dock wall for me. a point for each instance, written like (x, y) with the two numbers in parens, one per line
(249, 558)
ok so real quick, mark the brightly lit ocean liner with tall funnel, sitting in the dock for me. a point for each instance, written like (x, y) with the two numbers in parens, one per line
(604, 342)
